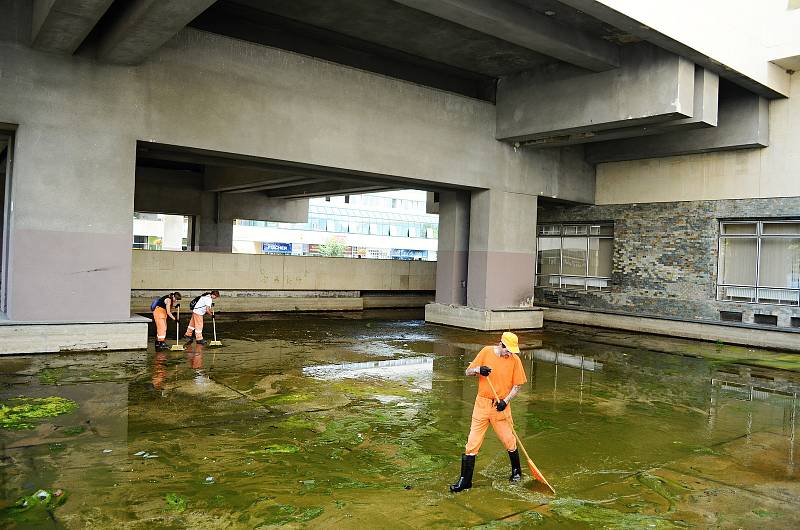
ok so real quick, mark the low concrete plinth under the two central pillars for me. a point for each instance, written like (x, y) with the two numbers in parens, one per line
(484, 319)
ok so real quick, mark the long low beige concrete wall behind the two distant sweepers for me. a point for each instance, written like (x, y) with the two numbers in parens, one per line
(170, 271)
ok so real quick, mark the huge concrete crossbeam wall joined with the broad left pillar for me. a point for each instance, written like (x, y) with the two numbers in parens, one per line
(79, 122)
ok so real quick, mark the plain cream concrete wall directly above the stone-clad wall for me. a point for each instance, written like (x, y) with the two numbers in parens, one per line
(773, 171)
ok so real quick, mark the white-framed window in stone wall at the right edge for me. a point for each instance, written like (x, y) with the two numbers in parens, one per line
(759, 262)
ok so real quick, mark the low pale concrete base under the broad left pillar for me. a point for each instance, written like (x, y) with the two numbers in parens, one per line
(50, 337)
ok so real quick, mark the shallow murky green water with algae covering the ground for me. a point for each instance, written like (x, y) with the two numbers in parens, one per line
(358, 421)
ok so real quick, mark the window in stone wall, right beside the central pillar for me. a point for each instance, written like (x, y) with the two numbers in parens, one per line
(574, 256)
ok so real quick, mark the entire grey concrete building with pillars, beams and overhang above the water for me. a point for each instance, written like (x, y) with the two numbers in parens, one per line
(649, 152)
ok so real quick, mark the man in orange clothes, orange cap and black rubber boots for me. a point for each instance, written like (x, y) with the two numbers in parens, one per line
(507, 375)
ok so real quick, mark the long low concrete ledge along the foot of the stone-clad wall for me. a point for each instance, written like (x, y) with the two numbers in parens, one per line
(761, 338)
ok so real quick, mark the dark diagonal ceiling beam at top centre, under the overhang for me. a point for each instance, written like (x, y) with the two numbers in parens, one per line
(516, 24)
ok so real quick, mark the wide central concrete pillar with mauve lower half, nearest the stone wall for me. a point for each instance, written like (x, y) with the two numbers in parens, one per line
(502, 249)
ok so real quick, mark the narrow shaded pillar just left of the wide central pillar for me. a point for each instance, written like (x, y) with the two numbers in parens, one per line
(452, 255)
